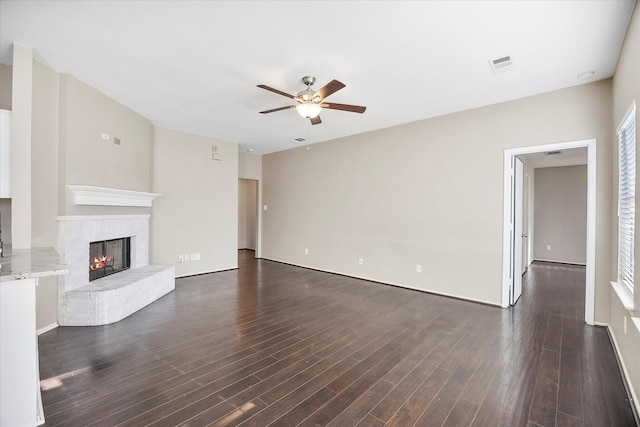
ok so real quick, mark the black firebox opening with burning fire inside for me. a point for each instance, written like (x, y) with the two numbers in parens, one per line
(108, 257)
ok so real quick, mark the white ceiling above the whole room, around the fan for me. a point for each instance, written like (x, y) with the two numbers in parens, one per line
(193, 66)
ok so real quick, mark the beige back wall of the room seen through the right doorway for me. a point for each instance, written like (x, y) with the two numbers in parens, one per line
(561, 214)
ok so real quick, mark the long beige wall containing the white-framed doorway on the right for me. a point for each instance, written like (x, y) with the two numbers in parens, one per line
(427, 193)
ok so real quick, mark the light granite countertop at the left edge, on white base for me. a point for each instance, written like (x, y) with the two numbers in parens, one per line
(30, 263)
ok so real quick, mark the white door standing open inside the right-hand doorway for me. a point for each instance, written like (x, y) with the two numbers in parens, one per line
(517, 196)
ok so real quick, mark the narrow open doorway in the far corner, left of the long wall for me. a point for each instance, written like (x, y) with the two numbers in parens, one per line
(247, 214)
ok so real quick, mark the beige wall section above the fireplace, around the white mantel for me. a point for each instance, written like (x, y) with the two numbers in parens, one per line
(86, 159)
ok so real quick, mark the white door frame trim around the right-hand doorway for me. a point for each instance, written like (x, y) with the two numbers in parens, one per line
(590, 145)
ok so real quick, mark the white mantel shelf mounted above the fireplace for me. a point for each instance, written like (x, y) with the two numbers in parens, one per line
(102, 196)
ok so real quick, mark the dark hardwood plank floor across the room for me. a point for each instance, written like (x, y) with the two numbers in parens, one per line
(273, 344)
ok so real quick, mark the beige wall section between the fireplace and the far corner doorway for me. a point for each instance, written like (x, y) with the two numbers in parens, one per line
(198, 209)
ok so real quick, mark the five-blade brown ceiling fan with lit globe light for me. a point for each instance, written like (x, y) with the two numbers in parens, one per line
(309, 103)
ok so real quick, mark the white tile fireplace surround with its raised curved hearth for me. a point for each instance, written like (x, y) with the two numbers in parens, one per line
(112, 298)
